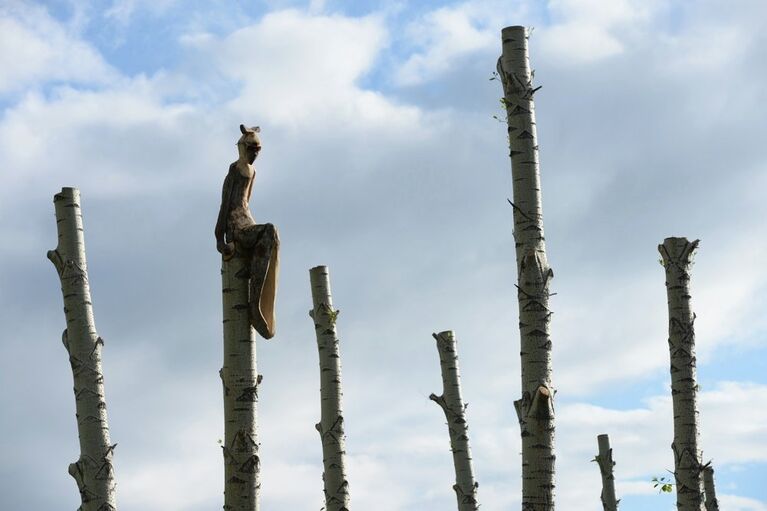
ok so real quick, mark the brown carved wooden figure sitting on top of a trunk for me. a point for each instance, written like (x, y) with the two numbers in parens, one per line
(238, 234)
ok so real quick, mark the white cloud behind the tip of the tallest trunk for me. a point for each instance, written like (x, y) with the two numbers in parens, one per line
(579, 31)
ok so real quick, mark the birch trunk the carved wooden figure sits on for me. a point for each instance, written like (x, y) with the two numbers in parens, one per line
(240, 378)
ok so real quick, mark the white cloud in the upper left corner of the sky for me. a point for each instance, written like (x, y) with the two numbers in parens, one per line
(35, 49)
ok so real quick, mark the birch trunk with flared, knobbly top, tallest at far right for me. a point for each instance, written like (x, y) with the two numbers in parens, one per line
(676, 256)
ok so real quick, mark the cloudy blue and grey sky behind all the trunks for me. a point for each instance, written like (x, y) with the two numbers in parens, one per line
(382, 160)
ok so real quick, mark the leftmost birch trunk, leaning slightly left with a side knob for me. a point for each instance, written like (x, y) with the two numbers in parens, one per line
(93, 471)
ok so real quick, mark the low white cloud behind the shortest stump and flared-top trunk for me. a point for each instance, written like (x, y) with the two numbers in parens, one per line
(732, 429)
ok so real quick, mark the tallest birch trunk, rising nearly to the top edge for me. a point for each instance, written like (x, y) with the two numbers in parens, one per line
(535, 409)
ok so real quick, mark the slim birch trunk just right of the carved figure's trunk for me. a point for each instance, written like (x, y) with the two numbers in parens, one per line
(331, 425)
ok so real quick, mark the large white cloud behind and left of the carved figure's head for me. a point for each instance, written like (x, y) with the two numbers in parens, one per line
(296, 71)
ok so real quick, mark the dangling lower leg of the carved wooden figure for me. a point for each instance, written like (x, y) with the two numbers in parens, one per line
(264, 271)
